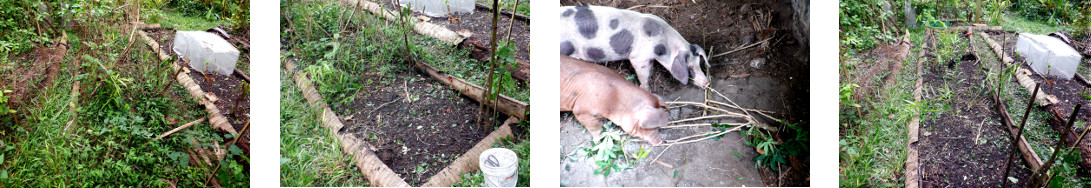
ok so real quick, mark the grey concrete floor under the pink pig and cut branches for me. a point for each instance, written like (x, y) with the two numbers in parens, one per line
(725, 163)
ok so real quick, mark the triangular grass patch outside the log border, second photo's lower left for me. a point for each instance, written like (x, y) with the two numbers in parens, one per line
(310, 156)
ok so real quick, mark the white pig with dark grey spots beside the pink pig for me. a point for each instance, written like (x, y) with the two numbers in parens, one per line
(602, 34)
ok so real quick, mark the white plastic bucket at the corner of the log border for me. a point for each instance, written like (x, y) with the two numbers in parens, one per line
(499, 167)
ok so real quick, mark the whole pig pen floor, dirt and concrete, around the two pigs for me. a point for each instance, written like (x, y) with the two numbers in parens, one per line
(778, 85)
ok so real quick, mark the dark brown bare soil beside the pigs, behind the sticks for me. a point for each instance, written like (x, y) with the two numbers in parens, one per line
(723, 27)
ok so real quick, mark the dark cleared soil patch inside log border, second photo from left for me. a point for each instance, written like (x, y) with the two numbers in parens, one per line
(415, 122)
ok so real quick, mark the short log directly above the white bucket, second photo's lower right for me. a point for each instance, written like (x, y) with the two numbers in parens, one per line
(469, 162)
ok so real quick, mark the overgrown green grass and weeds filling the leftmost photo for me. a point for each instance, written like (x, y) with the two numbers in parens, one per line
(118, 114)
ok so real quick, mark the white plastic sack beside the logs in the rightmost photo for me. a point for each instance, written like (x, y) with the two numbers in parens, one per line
(1049, 56)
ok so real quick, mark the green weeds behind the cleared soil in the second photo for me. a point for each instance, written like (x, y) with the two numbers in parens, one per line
(343, 61)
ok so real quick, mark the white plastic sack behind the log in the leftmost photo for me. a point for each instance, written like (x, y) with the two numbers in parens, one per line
(207, 52)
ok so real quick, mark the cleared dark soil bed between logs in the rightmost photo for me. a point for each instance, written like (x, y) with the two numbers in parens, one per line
(966, 146)
